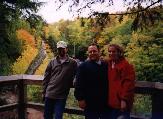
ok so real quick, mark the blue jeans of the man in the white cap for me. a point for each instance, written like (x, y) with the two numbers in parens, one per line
(54, 107)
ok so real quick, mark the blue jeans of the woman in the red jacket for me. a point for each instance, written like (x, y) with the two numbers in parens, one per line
(116, 113)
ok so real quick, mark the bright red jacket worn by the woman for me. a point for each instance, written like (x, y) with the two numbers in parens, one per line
(121, 84)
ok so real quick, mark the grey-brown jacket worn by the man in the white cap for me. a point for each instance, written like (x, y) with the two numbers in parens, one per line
(58, 78)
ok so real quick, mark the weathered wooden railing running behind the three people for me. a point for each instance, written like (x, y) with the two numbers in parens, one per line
(142, 87)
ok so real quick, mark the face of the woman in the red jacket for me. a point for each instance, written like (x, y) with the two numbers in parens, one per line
(113, 53)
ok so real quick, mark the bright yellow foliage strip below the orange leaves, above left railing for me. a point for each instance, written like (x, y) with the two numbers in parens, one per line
(23, 62)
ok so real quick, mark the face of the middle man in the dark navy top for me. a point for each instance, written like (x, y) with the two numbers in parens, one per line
(93, 53)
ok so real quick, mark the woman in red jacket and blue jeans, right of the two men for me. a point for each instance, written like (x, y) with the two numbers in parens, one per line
(121, 76)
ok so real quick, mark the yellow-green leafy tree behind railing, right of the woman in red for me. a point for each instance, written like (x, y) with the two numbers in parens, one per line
(145, 51)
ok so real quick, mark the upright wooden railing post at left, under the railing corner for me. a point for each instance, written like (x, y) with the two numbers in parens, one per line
(22, 99)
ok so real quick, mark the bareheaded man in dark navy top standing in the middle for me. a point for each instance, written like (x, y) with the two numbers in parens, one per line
(92, 86)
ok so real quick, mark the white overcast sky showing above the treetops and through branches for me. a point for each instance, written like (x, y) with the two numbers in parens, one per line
(50, 14)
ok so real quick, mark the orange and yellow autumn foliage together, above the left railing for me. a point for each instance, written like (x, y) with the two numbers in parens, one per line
(30, 51)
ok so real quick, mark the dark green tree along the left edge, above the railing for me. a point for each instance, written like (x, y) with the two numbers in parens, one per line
(11, 12)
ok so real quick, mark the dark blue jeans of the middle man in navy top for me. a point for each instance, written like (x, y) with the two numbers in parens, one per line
(96, 114)
